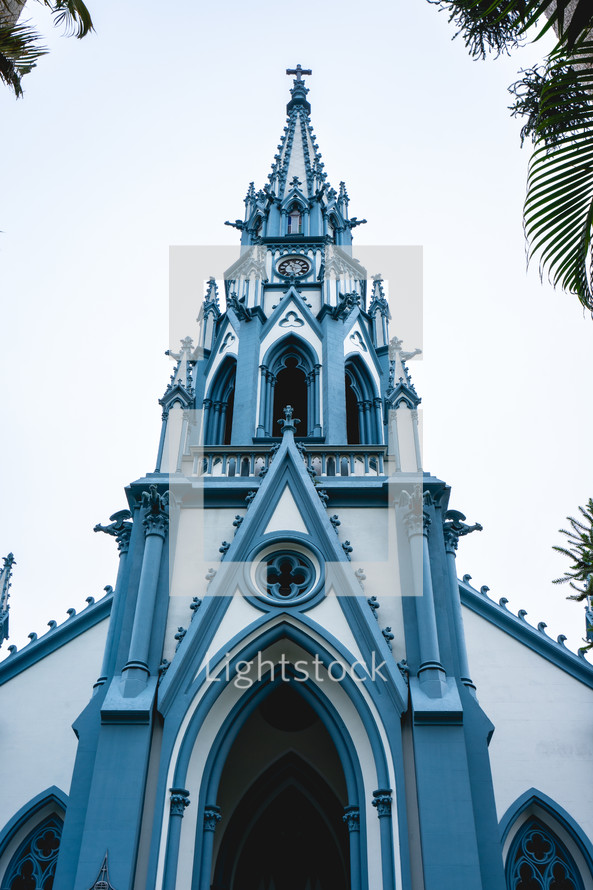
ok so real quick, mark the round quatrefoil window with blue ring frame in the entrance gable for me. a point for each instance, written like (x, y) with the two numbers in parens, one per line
(285, 574)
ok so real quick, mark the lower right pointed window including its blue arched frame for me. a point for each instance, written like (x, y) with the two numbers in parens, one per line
(544, 845)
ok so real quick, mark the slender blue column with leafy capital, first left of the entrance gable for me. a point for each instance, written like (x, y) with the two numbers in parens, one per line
(156, 524)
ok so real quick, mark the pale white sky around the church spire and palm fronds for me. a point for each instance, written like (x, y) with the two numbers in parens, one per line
(146, 135)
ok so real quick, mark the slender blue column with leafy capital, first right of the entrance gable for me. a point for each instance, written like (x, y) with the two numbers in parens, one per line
(417, 522)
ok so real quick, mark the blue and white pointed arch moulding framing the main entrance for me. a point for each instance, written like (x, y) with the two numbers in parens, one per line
(197, 837)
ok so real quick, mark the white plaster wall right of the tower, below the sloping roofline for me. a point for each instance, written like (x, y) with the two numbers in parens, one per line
(543, 718)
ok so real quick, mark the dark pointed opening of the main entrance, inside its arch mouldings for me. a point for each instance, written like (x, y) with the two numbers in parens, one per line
(284, 788)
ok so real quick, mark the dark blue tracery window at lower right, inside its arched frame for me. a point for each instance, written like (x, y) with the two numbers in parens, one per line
(538, 860)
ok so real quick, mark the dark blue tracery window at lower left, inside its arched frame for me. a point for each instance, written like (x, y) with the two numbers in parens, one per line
(33, 866)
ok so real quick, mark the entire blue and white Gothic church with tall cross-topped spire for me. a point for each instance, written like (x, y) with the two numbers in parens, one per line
(289, 687)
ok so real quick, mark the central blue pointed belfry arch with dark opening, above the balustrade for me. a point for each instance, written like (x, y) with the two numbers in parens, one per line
(289, 374)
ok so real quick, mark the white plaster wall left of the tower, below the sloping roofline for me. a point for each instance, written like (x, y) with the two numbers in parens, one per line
(38, 709)
